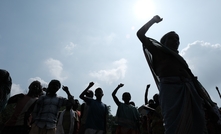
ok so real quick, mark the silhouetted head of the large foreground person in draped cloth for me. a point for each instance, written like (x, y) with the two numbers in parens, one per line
(171, 40)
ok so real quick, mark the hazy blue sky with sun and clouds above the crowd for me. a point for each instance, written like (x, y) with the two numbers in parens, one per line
(78, 42)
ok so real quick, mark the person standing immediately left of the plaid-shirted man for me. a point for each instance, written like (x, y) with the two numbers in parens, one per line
(19, 123)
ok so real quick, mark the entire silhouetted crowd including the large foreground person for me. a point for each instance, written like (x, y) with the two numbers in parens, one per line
(182, 106)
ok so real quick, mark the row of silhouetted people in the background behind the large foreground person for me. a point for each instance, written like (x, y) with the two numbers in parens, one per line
(41, 111)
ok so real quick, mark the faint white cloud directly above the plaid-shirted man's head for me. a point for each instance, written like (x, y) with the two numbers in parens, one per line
(56, 69)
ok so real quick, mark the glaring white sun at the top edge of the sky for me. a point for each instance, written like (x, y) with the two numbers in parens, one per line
(144, 9)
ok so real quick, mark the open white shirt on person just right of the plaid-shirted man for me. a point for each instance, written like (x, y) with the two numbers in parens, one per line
(60, 129)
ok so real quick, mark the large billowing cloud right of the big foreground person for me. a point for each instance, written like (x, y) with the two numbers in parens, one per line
(204, 60)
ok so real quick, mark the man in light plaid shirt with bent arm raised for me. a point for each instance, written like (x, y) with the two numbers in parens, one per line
(47, 107)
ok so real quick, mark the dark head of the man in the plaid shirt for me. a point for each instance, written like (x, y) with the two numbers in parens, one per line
(53, 87)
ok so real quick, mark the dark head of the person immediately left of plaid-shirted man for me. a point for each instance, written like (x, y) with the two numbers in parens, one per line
(35, 89)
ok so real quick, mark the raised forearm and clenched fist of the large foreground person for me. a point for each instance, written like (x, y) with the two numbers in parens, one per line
(141, 32)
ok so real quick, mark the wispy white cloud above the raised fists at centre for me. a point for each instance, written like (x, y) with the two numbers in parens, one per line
(109, 75)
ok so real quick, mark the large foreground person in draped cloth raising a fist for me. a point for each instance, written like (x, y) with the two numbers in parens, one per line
(180, 92)
